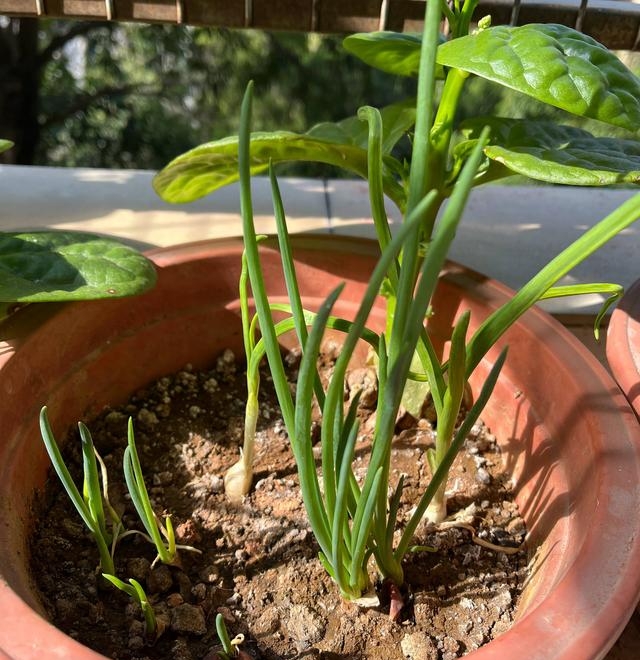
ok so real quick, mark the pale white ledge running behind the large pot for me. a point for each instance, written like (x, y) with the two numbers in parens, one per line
(508, 232)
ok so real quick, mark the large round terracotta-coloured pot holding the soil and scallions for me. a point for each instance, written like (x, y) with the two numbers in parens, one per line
(567, 434)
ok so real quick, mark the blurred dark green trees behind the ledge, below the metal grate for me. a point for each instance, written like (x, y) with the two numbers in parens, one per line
(117, 95)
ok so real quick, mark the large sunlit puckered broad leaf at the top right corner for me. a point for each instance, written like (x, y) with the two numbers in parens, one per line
(554, 64)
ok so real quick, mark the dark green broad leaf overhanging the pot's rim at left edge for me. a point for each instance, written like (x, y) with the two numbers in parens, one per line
(55, 266)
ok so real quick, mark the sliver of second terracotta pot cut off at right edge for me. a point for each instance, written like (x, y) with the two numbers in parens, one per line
(623, 345)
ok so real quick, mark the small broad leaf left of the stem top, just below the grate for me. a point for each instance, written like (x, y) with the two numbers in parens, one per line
(392, 52)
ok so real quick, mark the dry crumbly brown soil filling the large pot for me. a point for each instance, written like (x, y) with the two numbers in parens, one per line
(259, 564)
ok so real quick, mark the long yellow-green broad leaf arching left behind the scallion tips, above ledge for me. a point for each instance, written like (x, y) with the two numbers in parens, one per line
(213, 165)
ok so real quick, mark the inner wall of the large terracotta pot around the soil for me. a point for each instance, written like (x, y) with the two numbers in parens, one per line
(78, 358)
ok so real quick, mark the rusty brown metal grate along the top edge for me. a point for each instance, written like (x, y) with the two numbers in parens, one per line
(616, 23)
